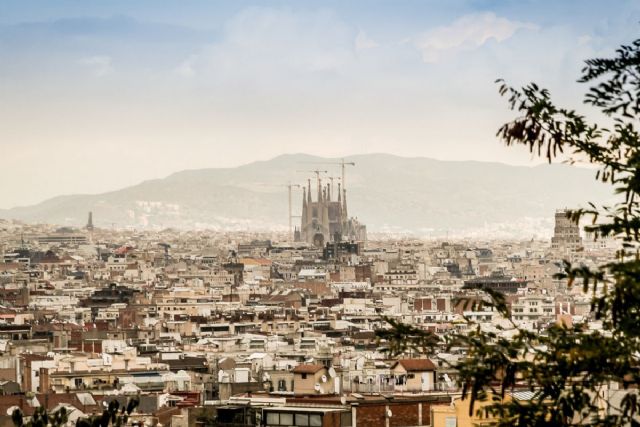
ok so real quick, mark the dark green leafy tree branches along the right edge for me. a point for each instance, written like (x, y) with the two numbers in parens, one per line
(568, 369)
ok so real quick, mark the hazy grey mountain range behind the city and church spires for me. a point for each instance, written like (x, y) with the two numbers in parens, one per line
(386, 192)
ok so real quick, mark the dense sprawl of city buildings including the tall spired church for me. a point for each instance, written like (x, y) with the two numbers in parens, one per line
(212, 328)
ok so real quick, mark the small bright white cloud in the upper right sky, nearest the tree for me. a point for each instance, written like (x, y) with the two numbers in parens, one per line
(466, 33)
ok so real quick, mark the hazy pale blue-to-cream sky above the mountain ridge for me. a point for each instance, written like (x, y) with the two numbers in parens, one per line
(97, 95)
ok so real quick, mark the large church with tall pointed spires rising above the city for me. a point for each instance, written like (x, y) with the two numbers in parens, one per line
(326, 220)
